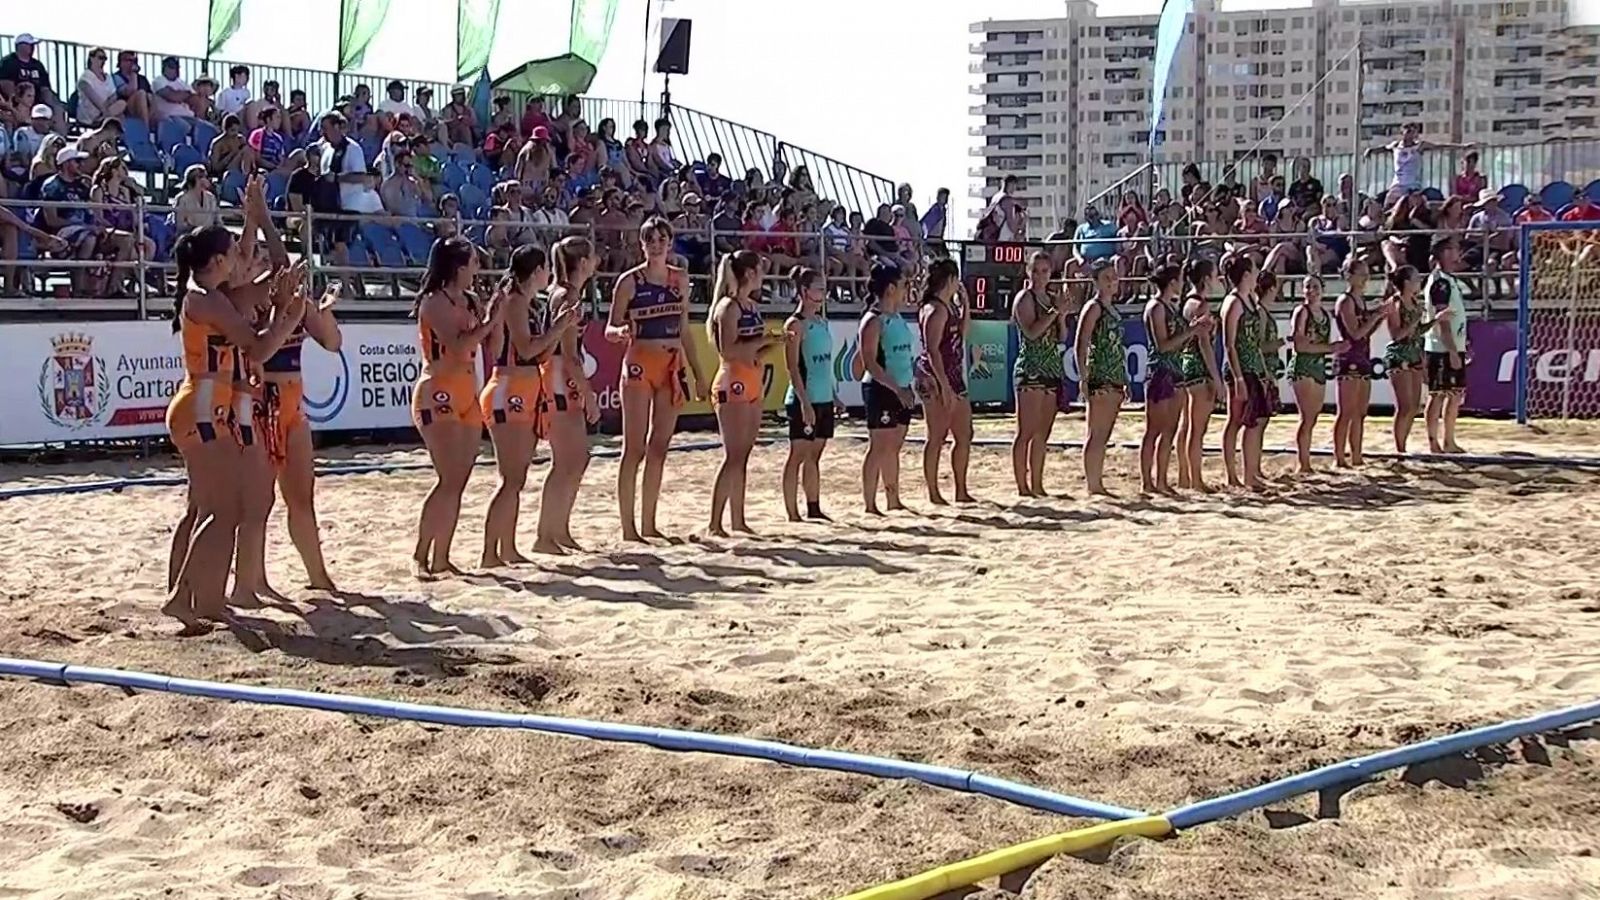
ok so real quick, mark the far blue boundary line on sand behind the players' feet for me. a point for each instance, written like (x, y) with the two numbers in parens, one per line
(1586, 464)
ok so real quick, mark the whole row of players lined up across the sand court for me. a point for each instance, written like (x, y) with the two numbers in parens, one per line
(239, 422)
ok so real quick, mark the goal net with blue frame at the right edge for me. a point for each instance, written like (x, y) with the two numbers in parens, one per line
(1559, 323)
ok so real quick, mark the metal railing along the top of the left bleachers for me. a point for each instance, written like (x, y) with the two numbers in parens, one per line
(697, 134)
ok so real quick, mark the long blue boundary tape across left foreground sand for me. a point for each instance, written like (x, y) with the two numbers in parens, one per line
(663, 739)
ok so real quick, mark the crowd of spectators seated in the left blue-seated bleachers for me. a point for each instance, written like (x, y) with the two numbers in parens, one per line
(519, 177)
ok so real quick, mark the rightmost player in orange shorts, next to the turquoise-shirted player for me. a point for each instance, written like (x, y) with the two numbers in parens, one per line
(737, 331)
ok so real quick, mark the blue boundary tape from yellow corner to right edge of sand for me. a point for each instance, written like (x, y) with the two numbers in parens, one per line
(1364, 768)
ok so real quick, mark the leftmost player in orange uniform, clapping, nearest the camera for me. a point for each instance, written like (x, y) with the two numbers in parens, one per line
(201, 416)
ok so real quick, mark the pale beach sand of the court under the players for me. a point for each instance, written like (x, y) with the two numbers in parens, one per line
(1140, 653)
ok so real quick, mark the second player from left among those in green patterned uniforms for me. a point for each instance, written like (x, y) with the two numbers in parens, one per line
(1103, 371)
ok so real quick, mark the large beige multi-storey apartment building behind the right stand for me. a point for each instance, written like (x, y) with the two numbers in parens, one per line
(1065, 103)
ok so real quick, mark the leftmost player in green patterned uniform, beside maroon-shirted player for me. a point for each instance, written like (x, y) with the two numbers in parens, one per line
(1041, 321)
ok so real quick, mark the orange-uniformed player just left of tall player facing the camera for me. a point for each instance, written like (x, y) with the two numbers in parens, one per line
(570, 404)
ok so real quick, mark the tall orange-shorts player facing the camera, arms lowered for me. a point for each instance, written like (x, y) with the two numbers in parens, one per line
(650, 313)
